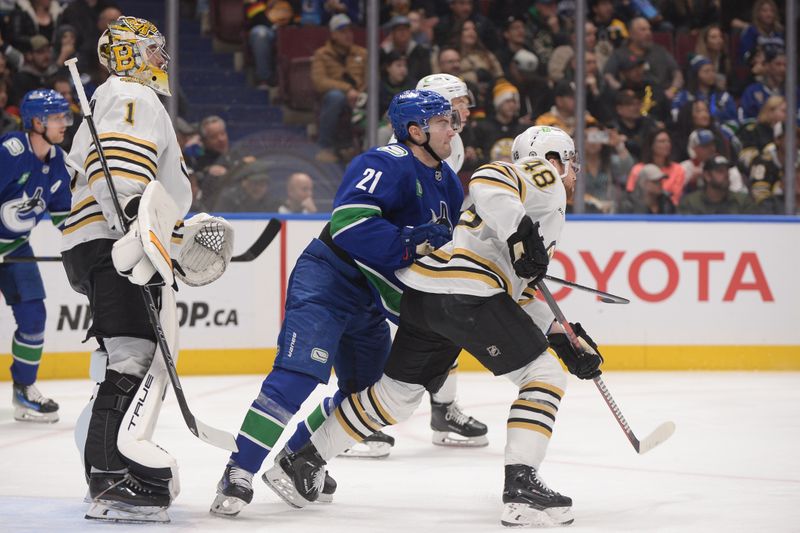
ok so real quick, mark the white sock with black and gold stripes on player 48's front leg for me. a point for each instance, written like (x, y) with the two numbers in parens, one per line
(533, 414)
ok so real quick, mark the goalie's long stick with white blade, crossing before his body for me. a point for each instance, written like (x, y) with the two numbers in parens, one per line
(204, 432)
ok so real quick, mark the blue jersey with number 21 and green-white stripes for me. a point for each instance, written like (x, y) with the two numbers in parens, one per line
(382, 191)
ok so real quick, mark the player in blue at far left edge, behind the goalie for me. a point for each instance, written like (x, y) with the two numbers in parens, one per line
(33, 182)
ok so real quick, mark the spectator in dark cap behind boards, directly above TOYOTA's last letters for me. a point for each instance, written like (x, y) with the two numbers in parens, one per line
(715, 196)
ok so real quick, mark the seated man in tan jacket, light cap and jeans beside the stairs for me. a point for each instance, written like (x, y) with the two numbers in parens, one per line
(338, 72)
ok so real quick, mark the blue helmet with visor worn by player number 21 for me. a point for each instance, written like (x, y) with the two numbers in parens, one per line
(418, 107)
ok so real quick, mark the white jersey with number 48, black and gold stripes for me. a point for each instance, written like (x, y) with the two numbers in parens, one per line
(477, 261)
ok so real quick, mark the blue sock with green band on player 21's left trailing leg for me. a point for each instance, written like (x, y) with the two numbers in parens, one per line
(282, 394)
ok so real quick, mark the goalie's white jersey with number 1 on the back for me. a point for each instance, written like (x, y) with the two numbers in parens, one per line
(139, 145)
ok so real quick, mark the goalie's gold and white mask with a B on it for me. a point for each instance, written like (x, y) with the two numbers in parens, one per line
(134, 48)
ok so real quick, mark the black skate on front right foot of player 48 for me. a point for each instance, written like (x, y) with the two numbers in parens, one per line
(531, 503)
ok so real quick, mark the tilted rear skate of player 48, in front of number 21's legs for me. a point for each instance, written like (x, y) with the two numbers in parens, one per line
(298, 478)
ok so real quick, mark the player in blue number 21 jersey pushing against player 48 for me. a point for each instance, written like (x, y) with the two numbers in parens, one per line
(396, 203)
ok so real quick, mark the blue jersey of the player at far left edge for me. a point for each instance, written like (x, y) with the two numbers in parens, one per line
(28, 189)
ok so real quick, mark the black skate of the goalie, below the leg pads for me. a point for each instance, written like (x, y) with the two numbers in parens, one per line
(128, 498)
